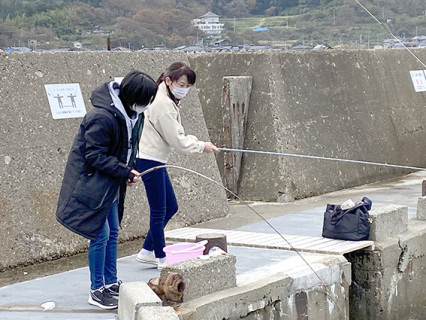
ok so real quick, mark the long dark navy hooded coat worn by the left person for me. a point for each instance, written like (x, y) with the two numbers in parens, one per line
(96, 169)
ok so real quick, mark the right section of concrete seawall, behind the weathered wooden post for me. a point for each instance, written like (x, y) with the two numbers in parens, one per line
(357, 105)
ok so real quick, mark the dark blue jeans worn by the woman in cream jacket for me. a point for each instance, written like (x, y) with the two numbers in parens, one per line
(162, 204)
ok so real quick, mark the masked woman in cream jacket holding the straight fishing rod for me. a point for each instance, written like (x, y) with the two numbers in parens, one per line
(162, 133)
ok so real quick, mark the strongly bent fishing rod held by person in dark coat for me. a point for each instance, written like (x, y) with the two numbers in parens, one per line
(258, 214)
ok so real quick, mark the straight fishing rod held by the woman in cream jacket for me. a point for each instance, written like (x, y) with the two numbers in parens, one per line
(323, 158)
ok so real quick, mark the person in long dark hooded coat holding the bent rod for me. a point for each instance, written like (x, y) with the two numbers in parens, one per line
(98, 170)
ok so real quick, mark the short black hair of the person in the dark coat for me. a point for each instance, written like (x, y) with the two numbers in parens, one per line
(137, 87)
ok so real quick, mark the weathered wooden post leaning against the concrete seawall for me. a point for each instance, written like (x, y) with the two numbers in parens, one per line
(235, 103)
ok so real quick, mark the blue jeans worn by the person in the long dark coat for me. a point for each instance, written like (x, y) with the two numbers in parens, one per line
(103, 252)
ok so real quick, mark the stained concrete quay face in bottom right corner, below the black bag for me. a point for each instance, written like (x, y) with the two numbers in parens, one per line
(388, 282)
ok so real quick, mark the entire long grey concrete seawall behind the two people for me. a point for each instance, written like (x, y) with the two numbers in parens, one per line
(349, 104)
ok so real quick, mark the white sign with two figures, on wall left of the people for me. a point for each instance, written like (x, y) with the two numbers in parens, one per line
(66, 100)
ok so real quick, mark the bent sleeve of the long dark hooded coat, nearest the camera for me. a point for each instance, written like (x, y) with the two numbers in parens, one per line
(99, 139)
